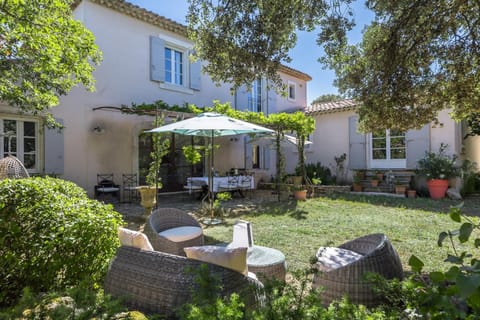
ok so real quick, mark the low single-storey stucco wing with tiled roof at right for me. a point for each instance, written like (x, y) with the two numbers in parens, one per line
(336, 133)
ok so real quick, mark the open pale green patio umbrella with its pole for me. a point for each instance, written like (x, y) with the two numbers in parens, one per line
(211, 124)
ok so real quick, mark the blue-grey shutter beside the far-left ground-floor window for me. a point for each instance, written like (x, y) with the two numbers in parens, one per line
(54, 150)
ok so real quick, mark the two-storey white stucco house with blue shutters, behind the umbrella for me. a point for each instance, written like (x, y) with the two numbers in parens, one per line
(145, 59)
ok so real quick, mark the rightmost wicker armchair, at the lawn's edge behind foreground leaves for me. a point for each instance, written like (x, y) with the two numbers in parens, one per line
(377, 255)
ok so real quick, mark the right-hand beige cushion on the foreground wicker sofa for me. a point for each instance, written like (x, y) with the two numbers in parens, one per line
(231, 258)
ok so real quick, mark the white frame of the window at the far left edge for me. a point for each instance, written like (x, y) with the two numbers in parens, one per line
(20, 140)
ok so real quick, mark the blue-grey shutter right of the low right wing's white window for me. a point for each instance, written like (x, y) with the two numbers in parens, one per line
(418, 141)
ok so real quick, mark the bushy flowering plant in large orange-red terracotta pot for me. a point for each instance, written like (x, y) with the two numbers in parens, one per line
(438, 168)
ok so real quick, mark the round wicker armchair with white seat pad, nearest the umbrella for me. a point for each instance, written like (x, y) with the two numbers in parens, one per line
(163, 219)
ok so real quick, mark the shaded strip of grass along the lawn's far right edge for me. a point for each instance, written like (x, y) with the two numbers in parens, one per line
(471, 207)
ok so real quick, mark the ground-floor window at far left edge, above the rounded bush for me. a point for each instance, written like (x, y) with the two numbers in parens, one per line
(20, 138)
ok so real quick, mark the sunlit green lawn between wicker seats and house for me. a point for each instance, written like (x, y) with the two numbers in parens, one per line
(298, 229)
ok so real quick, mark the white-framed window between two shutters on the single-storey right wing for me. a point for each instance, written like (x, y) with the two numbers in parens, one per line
(388, 149)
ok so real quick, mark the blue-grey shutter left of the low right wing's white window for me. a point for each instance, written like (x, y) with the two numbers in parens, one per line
(357, 146)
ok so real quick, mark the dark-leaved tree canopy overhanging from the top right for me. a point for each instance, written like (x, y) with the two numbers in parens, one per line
(415, 59)
